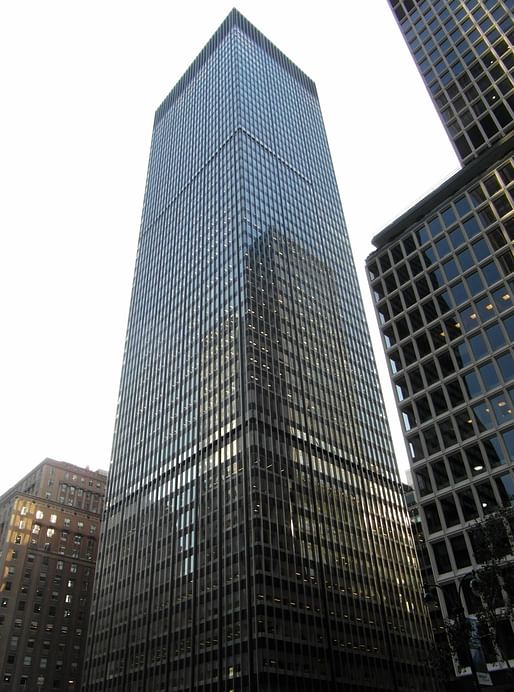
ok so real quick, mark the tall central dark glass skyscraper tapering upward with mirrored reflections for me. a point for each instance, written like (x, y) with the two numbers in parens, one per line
(255, 535)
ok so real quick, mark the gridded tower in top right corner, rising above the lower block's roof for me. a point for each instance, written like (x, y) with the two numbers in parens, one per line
(463, 50)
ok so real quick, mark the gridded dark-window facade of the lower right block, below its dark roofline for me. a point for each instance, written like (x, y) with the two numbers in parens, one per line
(444, 295)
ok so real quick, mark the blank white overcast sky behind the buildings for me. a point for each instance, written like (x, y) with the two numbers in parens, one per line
(79, 85)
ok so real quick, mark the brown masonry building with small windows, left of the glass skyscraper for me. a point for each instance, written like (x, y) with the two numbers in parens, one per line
(49, 529)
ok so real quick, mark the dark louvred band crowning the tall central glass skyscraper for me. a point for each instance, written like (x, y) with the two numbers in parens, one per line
(234, 19)
